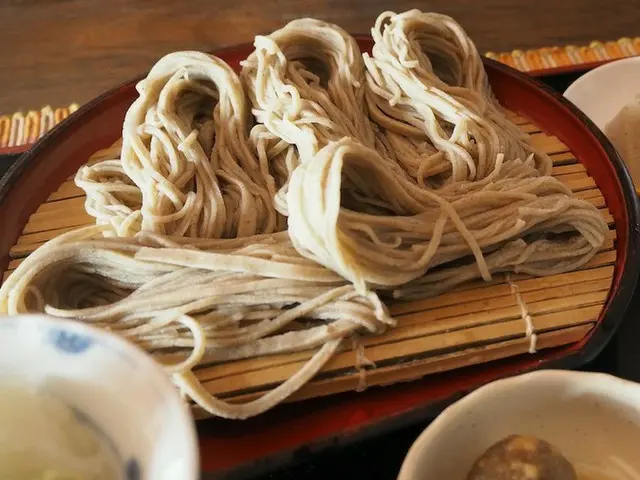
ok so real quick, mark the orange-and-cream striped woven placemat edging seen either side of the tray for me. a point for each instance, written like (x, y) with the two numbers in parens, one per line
(25, 128)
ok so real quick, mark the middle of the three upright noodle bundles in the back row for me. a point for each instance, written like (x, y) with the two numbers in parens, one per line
(306, 83)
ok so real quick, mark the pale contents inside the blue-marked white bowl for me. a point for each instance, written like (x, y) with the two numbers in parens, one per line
(42, 438)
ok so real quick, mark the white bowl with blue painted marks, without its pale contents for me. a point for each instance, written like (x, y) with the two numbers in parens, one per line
(115, 387)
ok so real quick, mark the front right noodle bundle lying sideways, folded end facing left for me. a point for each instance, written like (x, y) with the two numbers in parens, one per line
(429, 229)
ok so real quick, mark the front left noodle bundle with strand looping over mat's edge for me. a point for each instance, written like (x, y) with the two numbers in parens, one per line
(197, 303)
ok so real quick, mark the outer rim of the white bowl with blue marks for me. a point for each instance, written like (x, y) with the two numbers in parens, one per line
(153, 371)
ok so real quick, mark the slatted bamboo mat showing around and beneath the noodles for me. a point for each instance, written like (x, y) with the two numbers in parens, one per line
(476, 323)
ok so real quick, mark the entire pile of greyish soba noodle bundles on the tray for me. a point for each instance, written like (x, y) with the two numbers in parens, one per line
(243, 216)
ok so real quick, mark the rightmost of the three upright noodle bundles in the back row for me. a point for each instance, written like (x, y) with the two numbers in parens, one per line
(427, 87)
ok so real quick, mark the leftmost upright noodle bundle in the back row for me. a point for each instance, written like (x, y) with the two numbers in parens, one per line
(185, 166)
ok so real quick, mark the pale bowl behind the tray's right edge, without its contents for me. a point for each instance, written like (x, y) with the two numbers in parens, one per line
(604, 91)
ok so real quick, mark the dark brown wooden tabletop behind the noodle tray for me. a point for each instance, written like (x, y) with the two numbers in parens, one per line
(62, 51)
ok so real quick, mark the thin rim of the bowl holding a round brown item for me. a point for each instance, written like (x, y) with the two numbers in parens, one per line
(453, 411)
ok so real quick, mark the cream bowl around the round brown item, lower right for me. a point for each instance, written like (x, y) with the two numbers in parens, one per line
(594, 419)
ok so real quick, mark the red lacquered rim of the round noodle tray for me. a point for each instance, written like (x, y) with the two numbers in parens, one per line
(290, 431)
